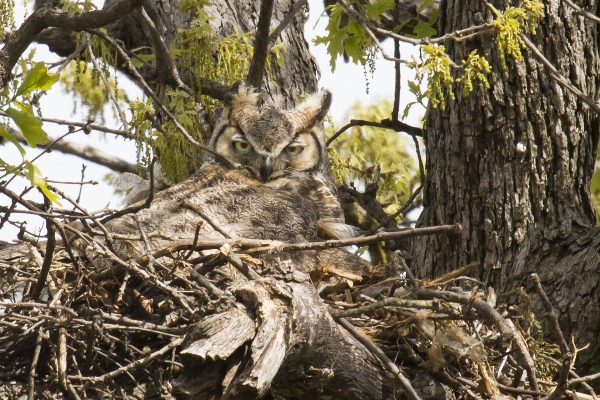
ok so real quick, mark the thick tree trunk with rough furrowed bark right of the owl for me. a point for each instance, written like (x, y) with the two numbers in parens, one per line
(513, 165)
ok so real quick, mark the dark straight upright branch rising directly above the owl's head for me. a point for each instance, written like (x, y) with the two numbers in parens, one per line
(261, 44)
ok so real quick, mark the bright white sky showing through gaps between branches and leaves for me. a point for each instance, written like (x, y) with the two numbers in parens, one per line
(347, 85)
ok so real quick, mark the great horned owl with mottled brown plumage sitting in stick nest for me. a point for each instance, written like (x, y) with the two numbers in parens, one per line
(269, 179)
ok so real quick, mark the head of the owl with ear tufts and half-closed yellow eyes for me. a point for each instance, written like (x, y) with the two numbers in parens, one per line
(270, 142)
